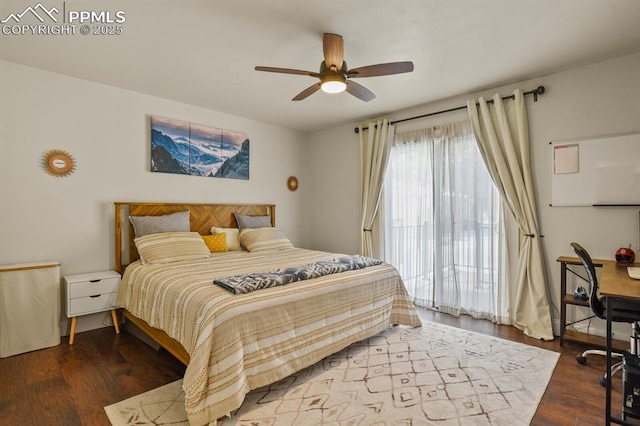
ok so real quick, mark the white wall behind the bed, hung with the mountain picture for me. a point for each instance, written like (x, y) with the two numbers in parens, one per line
(106, 130)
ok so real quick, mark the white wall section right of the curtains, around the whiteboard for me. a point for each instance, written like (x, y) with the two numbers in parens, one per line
(597, 100)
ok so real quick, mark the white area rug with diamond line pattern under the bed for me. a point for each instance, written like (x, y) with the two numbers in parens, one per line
(433, 375)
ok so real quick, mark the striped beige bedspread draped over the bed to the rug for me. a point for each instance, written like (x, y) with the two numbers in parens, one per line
(241, 342)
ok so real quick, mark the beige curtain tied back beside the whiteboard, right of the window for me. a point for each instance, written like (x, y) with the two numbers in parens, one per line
(502, 133)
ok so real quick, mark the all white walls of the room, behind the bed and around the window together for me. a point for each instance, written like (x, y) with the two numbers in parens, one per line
(107, 131)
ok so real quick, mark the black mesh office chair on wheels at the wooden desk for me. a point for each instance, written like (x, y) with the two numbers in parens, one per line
(628, 313)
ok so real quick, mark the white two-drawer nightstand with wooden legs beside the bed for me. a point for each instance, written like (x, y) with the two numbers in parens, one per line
(90, 293)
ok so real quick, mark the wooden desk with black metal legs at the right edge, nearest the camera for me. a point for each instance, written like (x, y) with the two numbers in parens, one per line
(616, 285)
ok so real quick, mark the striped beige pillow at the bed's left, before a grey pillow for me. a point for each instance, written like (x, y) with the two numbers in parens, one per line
(167, 247)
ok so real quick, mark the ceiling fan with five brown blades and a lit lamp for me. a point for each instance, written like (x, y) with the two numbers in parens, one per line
(334, 75)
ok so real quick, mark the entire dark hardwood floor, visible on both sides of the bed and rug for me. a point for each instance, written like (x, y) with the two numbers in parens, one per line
(69, 385)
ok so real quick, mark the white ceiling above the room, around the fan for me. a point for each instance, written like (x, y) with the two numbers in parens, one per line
(203, 52)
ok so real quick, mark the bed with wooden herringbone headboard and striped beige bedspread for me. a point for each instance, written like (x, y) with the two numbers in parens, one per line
(233, 343)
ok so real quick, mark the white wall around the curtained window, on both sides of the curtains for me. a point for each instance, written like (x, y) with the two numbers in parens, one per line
(596, 100)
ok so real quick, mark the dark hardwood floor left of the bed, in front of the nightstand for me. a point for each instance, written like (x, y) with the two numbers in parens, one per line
(70, 385)
